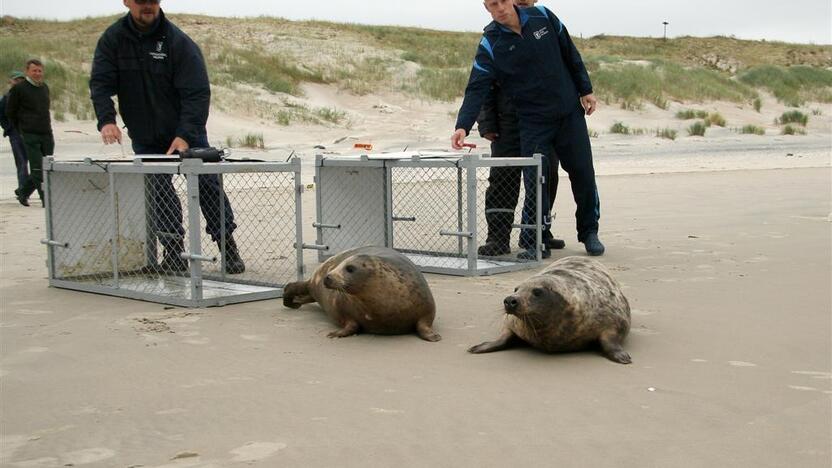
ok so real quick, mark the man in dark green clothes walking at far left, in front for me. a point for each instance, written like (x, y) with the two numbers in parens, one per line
(27, 109)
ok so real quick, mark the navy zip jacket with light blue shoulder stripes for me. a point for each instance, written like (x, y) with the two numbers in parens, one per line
(540, 69)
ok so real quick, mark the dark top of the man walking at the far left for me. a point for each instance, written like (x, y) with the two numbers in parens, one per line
(27, 108)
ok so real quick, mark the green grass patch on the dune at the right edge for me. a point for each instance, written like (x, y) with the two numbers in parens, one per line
(791, 85)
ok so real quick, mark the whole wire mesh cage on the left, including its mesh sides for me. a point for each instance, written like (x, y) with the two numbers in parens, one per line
(183, 233)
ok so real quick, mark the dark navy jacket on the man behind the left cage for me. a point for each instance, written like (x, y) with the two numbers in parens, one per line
(160, 80)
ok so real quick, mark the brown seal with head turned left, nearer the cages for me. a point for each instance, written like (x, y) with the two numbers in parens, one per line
(369, 289)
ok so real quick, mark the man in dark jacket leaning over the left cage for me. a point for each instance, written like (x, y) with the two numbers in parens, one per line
(159, 76)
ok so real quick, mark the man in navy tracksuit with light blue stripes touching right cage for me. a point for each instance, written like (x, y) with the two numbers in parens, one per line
(530, 54)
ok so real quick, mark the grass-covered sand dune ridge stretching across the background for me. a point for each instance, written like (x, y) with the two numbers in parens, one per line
(276, 56)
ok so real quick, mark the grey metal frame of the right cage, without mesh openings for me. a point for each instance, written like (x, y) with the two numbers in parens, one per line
(469, 262)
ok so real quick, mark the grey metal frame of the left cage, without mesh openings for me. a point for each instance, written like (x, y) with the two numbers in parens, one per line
(195, 279)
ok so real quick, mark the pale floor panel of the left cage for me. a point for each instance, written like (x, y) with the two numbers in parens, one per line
(179, 286)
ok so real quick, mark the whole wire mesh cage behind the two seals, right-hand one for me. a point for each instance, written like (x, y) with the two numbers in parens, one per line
(435, 208)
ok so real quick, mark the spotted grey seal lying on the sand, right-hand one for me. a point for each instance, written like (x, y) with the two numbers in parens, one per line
(570, 305)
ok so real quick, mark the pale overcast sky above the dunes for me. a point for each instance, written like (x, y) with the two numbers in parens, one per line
(805, 21)
